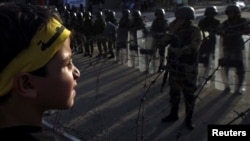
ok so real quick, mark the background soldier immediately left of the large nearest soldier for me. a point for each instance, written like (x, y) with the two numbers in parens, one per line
(158, 29)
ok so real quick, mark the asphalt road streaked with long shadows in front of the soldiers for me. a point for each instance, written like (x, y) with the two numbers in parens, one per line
(115, 102)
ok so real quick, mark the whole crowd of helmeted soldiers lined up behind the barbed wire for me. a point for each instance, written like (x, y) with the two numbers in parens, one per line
(188, 44)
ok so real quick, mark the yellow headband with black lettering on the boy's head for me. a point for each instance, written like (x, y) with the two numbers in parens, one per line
(47, 41)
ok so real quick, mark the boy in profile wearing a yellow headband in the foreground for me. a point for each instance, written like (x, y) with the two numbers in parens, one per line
(37, 73)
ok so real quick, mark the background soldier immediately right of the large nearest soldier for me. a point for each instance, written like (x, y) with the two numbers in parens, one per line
(208, 25)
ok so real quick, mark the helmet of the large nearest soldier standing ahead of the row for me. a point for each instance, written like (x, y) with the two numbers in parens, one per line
(185, 12)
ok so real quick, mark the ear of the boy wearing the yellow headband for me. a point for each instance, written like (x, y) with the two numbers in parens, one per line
(23, 85)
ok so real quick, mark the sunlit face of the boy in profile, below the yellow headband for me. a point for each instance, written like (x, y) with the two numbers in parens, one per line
(57, 89)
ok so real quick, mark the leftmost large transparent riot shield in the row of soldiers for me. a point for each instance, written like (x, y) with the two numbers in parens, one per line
(122, 45)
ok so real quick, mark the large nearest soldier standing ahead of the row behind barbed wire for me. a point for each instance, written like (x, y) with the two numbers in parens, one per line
(183, 54)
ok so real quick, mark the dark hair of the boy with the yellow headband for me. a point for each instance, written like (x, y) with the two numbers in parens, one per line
(18, 24)
